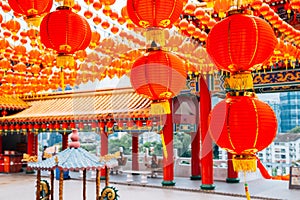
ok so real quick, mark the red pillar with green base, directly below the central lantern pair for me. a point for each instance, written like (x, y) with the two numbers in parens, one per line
(168, 160)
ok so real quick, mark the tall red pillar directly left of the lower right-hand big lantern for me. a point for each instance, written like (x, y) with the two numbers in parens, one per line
(206, 161)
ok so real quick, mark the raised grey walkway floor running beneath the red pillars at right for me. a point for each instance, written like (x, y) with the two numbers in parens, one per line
(259, 188)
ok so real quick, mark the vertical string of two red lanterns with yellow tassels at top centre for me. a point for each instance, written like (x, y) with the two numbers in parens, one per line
(158, 74)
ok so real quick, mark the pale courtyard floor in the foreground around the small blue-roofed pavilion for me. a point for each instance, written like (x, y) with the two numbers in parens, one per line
(20, 186)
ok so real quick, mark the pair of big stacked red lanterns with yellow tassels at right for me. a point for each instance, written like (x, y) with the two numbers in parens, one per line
(241, 123)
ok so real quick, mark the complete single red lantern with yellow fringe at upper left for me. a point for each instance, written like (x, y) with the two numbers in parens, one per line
(66, 32)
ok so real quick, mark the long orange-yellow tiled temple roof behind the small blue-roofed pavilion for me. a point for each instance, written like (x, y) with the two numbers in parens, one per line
(116, 103)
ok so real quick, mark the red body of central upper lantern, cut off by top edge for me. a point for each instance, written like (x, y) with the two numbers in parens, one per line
(149, 13)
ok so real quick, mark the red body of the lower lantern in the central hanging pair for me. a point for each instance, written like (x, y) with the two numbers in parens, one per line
(158, 75)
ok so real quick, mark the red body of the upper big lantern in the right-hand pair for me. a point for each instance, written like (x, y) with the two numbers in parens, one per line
(240, 42)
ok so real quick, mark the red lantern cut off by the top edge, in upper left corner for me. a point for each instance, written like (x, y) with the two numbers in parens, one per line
(32, 10)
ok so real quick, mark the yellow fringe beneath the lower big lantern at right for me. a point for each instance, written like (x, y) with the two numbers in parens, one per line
(244, 163)
